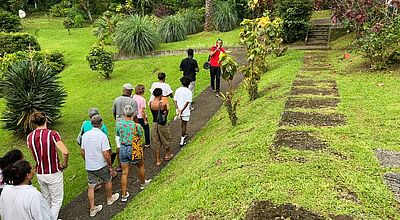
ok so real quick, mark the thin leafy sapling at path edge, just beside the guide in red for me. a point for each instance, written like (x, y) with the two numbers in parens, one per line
(229, 68)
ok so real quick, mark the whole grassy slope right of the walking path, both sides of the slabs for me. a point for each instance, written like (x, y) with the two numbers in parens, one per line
(224, 169)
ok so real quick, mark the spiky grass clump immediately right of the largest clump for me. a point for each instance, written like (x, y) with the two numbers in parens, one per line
(172, 29)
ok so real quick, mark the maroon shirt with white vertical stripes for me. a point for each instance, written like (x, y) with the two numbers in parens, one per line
(42, 143)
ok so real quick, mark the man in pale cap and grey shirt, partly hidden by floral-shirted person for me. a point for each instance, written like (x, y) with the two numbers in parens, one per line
(118, 110)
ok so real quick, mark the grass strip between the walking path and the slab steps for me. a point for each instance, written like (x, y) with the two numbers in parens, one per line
(224, 168)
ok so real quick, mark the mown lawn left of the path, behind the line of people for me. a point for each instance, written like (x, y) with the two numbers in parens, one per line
(88, 89)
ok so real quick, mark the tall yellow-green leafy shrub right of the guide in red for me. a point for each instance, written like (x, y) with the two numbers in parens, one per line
(261, 36)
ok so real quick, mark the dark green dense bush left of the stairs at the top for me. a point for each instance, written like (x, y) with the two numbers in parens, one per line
(296, 15)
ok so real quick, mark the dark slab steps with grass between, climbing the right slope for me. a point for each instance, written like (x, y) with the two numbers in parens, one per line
(312, 103)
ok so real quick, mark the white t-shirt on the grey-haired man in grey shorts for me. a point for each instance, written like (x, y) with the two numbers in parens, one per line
(94, 142)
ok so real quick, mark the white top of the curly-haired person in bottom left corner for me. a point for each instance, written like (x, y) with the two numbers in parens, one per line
(23, 202)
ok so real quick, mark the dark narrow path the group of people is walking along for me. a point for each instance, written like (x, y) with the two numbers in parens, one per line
(206, 105)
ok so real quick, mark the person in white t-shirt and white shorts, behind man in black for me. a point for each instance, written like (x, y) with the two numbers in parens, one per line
(183, 98)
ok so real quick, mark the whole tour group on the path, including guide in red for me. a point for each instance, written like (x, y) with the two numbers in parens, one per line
(20, 200)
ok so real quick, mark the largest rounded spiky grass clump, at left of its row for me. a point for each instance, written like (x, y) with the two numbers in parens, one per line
(136, 36)
